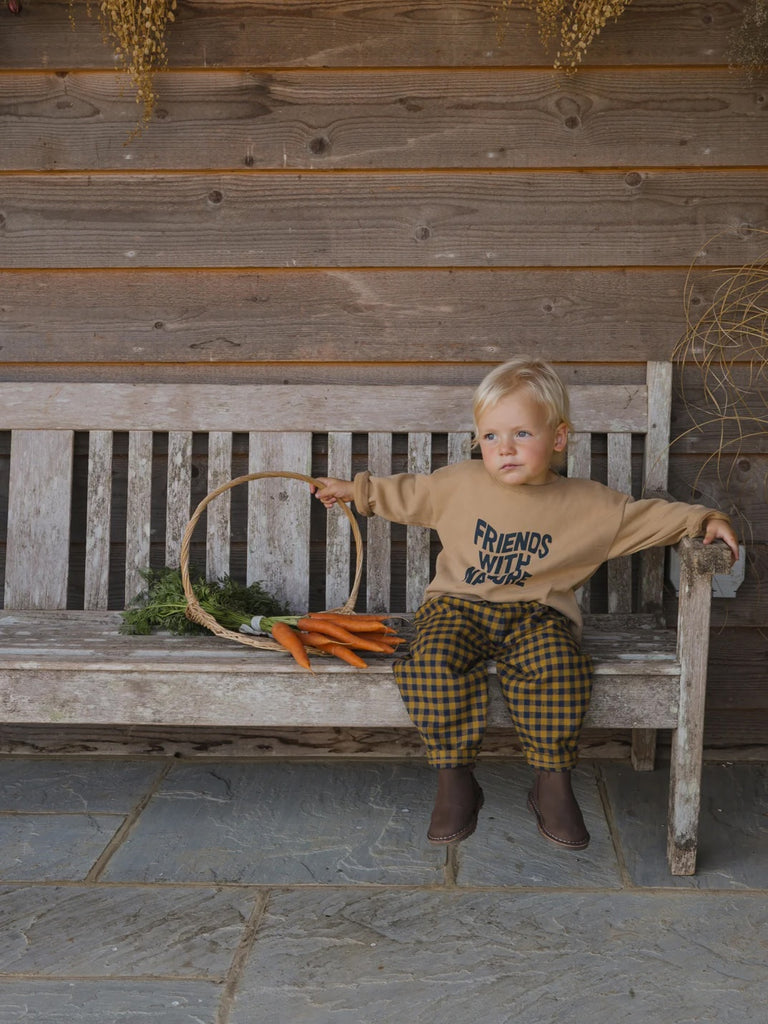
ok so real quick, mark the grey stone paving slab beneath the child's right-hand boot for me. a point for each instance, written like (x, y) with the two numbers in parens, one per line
(507, 849)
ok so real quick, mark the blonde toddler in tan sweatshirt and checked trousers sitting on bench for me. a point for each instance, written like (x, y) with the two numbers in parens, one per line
(518, 540)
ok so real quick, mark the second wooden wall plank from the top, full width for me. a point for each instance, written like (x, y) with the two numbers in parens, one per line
(397, 119)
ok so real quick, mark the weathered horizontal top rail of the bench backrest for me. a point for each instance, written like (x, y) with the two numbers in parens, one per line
(288, 408)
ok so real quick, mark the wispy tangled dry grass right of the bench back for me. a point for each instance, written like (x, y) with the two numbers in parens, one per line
(729, 346)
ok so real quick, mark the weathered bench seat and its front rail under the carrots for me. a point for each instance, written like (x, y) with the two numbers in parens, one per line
(87, 672)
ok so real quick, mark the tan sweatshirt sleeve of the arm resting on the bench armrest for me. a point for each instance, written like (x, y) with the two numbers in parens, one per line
(652, 523)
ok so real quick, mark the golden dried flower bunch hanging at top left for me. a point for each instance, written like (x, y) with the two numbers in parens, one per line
(137, 30)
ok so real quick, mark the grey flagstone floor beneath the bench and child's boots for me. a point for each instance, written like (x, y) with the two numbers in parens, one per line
(181, 892)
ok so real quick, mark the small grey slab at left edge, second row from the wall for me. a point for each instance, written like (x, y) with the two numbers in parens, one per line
(62, 847)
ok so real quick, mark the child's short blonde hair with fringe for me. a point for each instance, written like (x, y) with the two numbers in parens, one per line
(538, 377)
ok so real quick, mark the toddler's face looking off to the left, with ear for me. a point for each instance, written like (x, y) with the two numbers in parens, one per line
(518, 442)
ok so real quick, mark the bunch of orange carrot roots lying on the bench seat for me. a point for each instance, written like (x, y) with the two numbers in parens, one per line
(343, 634)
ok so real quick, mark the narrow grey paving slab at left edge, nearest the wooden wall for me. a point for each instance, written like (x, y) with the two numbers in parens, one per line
(75, 785)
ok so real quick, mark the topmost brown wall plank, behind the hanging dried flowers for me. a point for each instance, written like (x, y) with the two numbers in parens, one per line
(375, 33)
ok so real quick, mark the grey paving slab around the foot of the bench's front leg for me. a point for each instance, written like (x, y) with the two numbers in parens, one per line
(734, 827)
